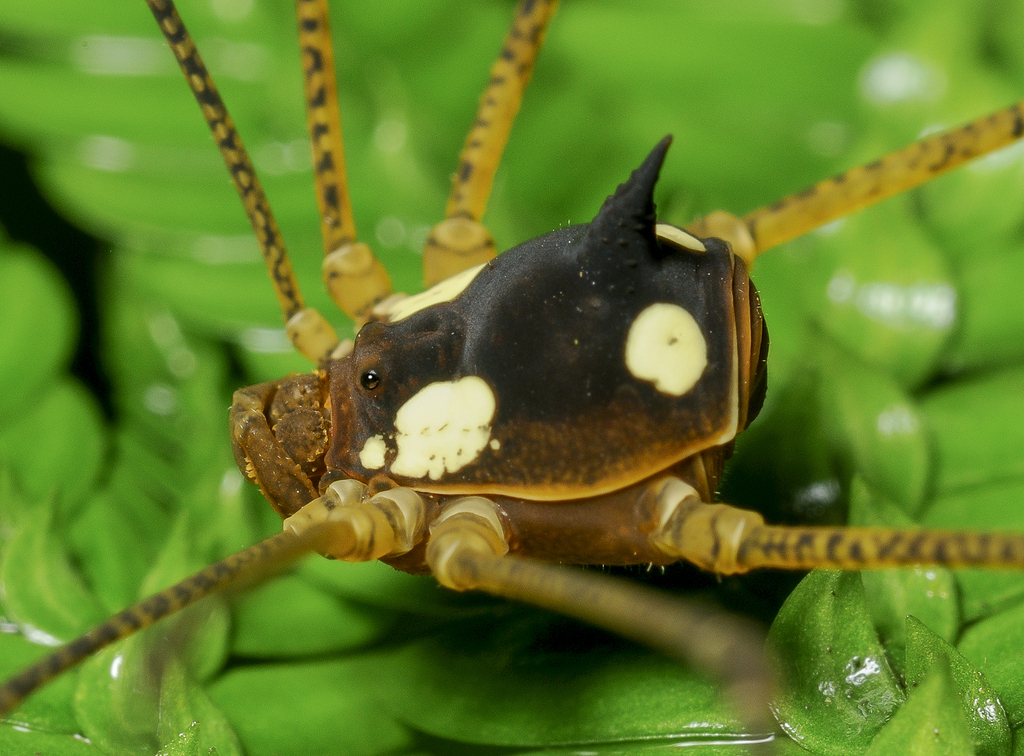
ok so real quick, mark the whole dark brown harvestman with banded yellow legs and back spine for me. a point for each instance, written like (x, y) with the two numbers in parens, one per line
(382, 492)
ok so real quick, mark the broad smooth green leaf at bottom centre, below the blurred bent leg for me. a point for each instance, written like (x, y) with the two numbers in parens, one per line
(533, 683)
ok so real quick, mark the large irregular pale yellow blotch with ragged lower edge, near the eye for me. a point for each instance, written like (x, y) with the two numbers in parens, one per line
(444, 428)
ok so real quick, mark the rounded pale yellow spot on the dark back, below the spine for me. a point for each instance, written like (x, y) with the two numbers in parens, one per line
(665, 347)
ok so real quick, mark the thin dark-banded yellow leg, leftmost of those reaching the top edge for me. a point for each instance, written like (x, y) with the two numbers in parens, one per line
(311, 333)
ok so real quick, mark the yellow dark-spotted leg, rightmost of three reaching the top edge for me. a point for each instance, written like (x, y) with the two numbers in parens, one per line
(461, 241)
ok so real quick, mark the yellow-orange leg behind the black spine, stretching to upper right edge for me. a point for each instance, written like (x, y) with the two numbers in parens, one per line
(860, 188)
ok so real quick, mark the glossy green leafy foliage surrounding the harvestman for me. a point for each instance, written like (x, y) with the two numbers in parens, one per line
(895, 373)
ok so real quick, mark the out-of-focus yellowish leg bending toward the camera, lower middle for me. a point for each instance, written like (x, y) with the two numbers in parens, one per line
(468, 552)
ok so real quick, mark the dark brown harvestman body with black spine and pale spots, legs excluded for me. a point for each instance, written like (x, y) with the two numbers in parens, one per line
(470, 391)
